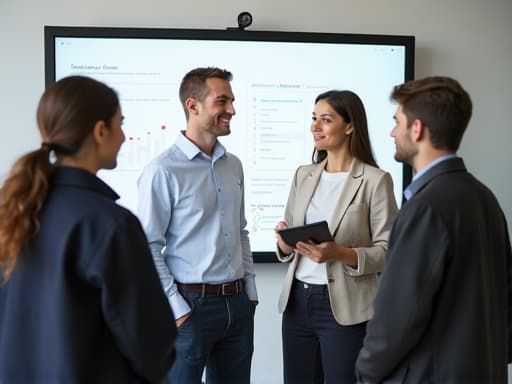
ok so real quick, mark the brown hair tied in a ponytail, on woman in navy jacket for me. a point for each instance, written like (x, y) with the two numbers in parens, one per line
(66, 114)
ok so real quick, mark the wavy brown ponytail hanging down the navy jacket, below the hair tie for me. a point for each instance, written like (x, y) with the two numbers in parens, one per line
(21, 198)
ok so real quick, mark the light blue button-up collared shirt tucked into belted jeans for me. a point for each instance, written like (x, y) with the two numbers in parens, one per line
(191, 207)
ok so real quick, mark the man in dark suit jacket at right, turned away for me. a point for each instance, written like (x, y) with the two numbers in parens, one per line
(443, 307)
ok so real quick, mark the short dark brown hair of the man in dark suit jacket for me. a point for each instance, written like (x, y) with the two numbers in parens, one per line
(441, 104)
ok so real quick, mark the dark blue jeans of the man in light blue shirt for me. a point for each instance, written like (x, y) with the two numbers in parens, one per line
(218, 335)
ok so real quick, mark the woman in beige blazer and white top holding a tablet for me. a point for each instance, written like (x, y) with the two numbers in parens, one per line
(329, 290)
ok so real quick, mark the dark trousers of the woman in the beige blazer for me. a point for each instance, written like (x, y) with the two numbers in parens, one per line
(316, 349)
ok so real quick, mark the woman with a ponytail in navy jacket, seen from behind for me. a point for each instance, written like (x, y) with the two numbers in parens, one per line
(80, 300)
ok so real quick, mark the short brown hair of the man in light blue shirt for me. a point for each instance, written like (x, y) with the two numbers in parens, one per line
(194, 83)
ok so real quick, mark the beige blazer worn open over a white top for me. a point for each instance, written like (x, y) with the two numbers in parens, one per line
(362, 220)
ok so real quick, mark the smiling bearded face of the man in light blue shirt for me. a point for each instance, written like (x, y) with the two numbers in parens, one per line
(216, 110)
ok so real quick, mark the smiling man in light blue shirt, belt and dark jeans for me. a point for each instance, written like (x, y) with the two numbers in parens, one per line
(191, 205)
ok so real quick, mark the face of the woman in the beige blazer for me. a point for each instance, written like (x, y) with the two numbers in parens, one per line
(330, 131)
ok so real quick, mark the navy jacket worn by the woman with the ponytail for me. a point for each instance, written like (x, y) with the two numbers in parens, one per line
(84, 303)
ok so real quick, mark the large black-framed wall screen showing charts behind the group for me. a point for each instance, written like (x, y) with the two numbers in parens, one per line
(277, 76)
